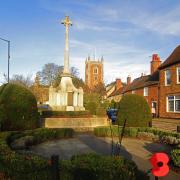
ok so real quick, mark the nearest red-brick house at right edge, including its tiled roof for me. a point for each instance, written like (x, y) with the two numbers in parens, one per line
(169, 91)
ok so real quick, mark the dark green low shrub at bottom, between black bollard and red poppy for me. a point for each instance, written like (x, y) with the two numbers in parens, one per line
(97, 167)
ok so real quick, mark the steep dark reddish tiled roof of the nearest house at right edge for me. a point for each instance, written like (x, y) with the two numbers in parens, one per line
(174, 58)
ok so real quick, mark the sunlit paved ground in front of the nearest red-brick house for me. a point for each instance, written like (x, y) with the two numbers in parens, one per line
(166, 124)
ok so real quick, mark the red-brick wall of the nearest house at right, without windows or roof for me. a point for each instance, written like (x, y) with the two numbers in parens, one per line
(173, 89)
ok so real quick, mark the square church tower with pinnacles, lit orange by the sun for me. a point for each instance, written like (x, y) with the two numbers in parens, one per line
(93, 72)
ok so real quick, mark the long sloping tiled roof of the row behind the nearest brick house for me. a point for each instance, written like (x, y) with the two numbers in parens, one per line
(143, 81)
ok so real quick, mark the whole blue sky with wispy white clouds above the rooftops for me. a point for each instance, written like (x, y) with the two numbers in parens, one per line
(125, 32)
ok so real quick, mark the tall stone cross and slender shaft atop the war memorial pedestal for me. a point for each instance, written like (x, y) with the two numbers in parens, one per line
(66, 23)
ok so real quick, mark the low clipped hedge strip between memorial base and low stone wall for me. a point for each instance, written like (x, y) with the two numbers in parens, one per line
(66, 114)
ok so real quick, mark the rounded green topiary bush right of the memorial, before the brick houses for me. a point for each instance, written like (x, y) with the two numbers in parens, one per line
(135, 110)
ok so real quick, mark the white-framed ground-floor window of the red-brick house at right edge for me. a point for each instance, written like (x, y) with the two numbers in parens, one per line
(173, 103)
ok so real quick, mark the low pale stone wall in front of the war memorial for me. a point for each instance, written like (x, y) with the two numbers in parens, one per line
(75, 123)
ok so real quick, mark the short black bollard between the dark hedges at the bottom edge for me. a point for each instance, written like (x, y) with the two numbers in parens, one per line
(55, 167)
